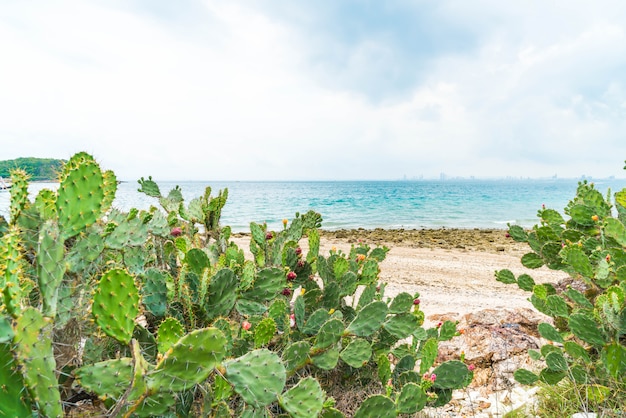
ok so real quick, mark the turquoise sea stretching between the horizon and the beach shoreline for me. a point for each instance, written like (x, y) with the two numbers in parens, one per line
(404, 204)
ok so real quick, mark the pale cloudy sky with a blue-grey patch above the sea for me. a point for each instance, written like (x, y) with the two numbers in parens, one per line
(317, 90)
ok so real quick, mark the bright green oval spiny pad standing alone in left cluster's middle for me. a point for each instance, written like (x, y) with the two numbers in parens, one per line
(116, 304)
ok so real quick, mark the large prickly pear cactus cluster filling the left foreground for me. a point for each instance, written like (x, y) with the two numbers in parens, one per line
(159, 313)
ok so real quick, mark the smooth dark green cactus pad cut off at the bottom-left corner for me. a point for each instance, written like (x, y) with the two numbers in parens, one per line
(14, 400)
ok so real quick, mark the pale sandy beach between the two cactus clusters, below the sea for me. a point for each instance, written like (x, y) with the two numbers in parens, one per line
(452, 269)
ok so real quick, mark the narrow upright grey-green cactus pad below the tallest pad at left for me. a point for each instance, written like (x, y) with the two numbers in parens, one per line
(51, 267)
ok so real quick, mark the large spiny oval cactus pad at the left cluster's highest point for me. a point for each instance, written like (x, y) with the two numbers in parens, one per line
(80, 198)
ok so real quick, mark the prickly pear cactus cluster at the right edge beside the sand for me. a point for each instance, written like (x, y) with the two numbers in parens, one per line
(588, 336)
